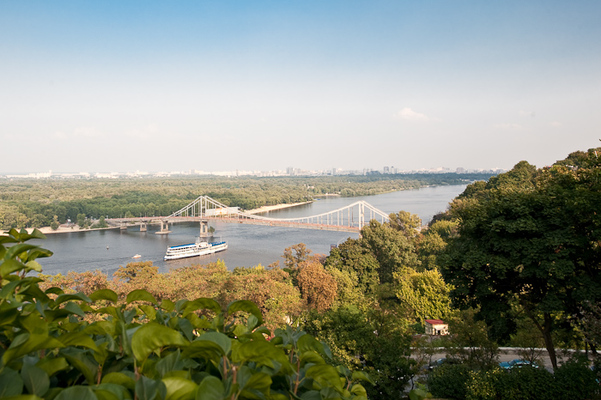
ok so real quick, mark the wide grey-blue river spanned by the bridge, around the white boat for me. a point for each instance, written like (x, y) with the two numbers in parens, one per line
(249, 245)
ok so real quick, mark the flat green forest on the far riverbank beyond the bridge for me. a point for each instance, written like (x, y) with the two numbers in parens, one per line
(35, 203)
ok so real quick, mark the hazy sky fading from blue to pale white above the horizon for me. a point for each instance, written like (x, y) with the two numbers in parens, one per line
(101, 86)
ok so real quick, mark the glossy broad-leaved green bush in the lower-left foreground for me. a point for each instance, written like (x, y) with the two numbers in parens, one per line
(145, 349)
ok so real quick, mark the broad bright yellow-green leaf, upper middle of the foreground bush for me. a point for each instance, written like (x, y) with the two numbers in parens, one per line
(151, 337)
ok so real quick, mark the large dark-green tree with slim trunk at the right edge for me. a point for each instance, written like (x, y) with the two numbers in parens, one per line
(529, 243)
